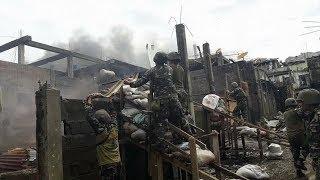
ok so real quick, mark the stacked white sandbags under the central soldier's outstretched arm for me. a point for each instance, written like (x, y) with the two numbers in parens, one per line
(139, 96)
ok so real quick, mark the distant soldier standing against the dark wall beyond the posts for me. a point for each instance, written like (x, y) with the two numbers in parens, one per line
(239, 95)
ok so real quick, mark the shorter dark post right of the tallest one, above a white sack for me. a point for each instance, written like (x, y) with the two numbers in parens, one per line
(208, 65)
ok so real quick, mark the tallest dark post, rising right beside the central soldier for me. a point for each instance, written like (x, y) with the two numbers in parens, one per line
(182, 49)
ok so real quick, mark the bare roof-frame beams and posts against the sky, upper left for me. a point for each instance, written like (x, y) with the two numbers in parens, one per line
(61, 53)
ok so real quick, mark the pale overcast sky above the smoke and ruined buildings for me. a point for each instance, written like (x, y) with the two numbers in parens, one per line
(264, 28)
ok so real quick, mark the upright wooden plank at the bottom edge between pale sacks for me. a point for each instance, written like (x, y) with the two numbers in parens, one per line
(194, 158)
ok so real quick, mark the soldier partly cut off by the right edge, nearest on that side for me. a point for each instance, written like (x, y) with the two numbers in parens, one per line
(309, 100)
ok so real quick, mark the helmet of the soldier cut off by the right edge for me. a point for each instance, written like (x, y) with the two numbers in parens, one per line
(309, 96)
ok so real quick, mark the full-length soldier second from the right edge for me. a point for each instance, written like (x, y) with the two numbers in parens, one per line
(296, 135)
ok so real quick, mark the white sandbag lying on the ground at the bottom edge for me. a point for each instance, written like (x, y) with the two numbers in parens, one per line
(252, 172)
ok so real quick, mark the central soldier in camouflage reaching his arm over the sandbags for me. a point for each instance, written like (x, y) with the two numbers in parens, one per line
(165, 99)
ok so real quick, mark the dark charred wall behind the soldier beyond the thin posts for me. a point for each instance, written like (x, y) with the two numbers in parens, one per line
(260, 91)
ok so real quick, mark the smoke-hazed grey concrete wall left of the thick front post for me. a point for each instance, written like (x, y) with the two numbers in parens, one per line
(18, 84)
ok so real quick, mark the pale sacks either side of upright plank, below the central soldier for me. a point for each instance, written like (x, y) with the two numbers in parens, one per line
(204, 156)
